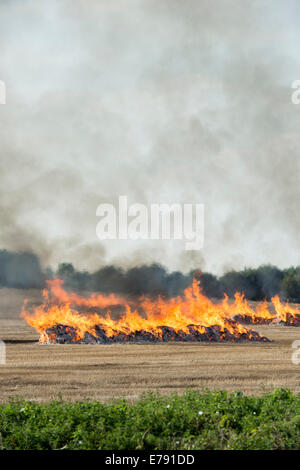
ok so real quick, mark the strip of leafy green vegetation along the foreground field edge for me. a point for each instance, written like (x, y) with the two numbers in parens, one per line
(208, 420)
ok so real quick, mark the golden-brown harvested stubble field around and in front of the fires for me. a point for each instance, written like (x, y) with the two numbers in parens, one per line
(44, 372)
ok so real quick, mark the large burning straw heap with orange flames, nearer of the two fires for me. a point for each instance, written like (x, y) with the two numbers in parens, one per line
(67, 317)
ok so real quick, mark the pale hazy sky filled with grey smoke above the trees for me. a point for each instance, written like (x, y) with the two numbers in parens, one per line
(164, 101)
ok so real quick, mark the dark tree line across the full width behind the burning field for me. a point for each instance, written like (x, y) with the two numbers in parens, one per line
(23, 270)
